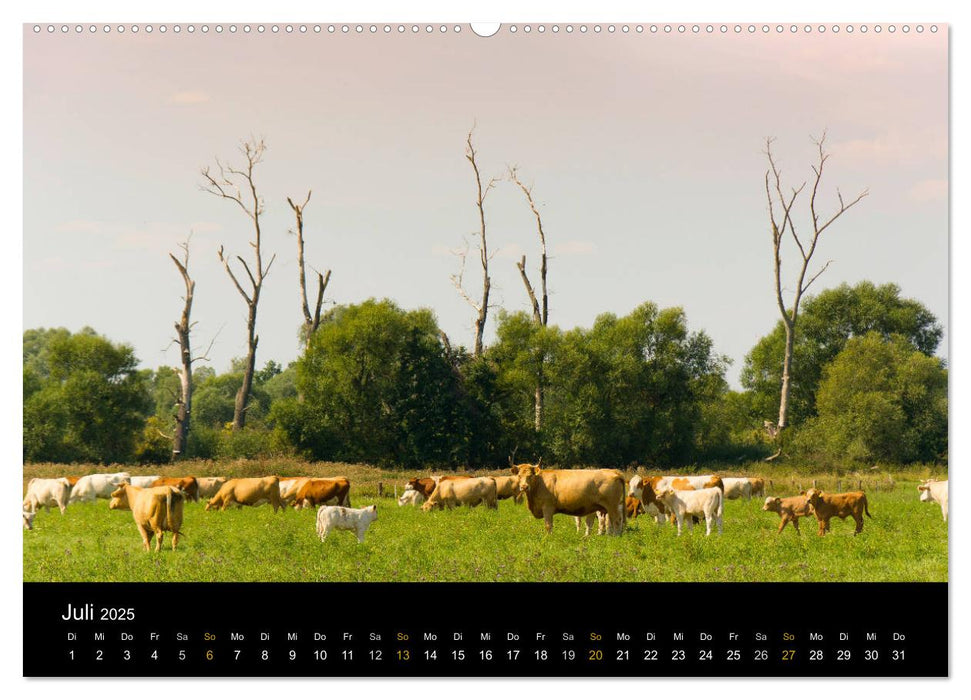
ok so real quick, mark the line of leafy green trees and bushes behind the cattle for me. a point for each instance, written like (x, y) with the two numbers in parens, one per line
(381, 384)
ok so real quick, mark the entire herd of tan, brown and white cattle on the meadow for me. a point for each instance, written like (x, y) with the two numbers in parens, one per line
(601, 496)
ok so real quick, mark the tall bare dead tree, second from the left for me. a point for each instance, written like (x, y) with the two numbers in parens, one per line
(229, 184)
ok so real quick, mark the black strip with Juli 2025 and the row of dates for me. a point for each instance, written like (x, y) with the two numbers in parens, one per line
(616, 629)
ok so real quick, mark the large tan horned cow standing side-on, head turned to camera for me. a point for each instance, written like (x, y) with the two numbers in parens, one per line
(576, 492)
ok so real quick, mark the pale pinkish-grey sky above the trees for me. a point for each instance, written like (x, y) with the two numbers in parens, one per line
(645, 151)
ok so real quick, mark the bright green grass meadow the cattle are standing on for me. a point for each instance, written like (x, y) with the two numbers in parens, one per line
(905, 541)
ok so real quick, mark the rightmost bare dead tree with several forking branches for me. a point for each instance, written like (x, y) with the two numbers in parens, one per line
(782, 224)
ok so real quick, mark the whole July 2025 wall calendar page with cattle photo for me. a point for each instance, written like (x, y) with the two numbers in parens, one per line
(437, 349)
